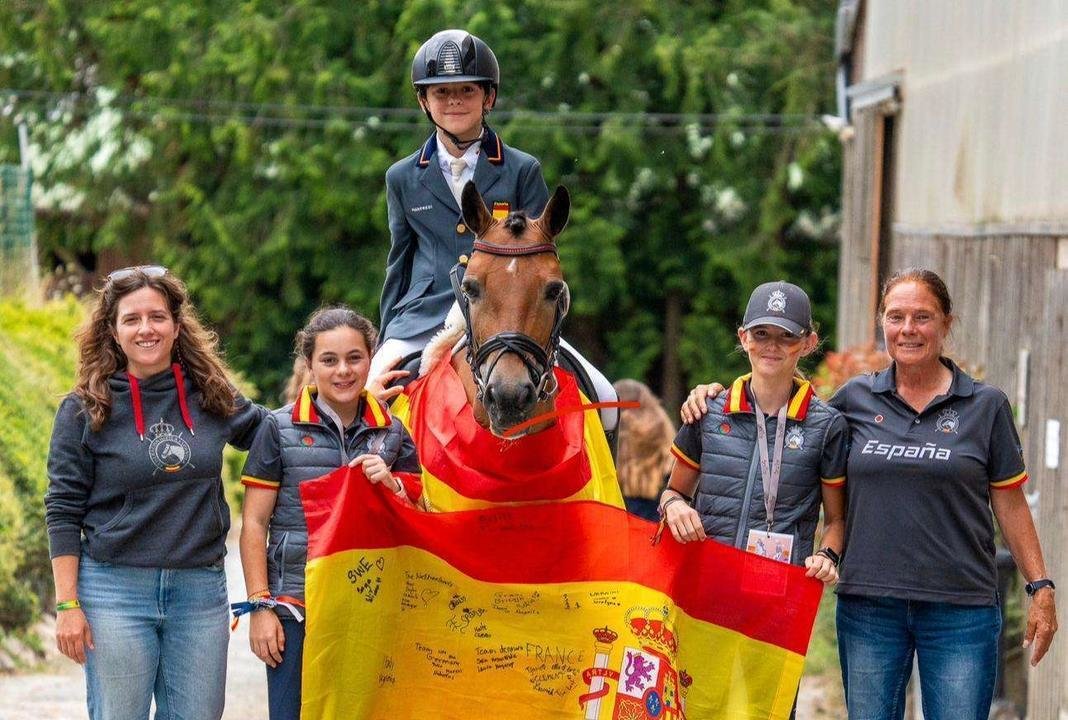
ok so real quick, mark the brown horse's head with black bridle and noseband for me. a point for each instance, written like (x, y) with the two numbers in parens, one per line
(514, 299)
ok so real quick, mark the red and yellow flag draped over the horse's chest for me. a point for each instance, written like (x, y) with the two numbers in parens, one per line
(466, 467)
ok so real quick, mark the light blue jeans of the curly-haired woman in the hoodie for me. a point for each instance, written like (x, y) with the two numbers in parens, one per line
(156, 632)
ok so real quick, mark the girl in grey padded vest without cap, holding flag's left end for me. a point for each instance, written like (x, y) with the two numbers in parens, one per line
(333, 424)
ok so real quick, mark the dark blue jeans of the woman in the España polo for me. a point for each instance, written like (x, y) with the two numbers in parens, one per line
(956, 648)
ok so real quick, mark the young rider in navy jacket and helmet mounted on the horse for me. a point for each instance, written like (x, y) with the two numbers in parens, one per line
(457, 80)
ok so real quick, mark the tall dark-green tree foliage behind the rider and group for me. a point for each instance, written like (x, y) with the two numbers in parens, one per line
(245, 145)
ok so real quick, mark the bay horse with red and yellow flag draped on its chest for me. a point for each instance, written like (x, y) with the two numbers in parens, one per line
(464, 410)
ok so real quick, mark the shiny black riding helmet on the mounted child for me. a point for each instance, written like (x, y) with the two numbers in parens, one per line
(456, 56)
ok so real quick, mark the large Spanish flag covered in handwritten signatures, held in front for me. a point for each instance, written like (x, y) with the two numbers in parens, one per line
(555, 611)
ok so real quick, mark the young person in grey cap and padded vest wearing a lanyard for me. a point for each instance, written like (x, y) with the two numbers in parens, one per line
(755, 472)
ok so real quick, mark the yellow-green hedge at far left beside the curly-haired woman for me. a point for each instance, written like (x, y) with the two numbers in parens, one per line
(37, 368)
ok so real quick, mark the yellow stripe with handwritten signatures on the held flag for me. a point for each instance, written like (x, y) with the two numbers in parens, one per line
(512, 651)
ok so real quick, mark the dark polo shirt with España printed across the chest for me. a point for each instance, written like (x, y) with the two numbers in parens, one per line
(919, 524)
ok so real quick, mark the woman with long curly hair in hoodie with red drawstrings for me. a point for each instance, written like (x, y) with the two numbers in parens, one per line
(136, 512)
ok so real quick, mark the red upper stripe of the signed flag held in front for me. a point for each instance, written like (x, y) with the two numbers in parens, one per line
(575, 542)
